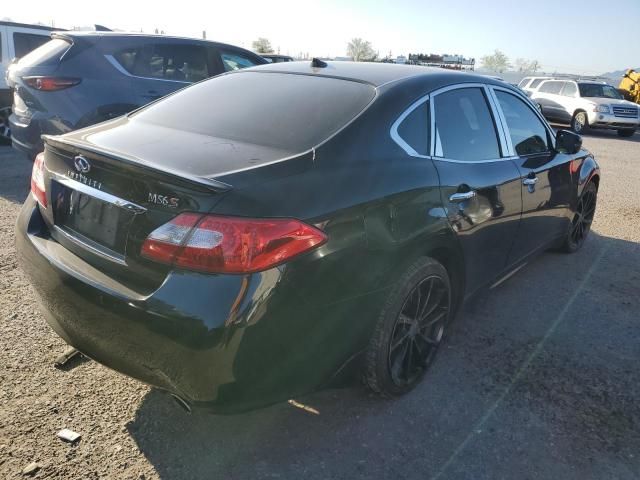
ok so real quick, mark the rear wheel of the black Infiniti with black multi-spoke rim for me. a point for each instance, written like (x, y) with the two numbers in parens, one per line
(409, 330)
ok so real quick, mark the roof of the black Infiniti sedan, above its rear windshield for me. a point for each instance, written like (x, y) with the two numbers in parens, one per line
(376, 74)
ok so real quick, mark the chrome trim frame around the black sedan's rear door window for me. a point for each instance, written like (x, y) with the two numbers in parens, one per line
(502, 138)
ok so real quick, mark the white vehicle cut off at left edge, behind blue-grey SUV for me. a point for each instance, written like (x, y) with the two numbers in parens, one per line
(16, 40)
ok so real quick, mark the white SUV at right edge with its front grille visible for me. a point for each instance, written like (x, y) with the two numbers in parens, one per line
(587, 104)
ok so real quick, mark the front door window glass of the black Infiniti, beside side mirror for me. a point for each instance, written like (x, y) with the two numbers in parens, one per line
(528, 133)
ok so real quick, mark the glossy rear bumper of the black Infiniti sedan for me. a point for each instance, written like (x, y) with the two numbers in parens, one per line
(226, 343)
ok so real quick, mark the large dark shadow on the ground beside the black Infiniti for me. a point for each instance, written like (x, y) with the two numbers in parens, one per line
(550, 354)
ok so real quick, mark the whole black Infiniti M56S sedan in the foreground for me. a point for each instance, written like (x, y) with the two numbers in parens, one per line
(275, 230)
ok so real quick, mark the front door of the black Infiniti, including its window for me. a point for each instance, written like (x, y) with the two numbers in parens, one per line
(546, 179)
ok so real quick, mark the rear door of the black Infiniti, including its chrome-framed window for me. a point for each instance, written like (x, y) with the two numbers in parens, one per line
(480, 187)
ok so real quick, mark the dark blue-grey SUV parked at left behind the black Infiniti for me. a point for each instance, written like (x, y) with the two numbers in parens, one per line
(82, 78)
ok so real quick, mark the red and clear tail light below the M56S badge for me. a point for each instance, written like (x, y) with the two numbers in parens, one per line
(217, 244)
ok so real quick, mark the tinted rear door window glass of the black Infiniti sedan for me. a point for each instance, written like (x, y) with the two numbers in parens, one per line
(464, 126)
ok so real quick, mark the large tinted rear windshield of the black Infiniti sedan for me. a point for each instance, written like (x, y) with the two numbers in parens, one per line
(285, 111)
